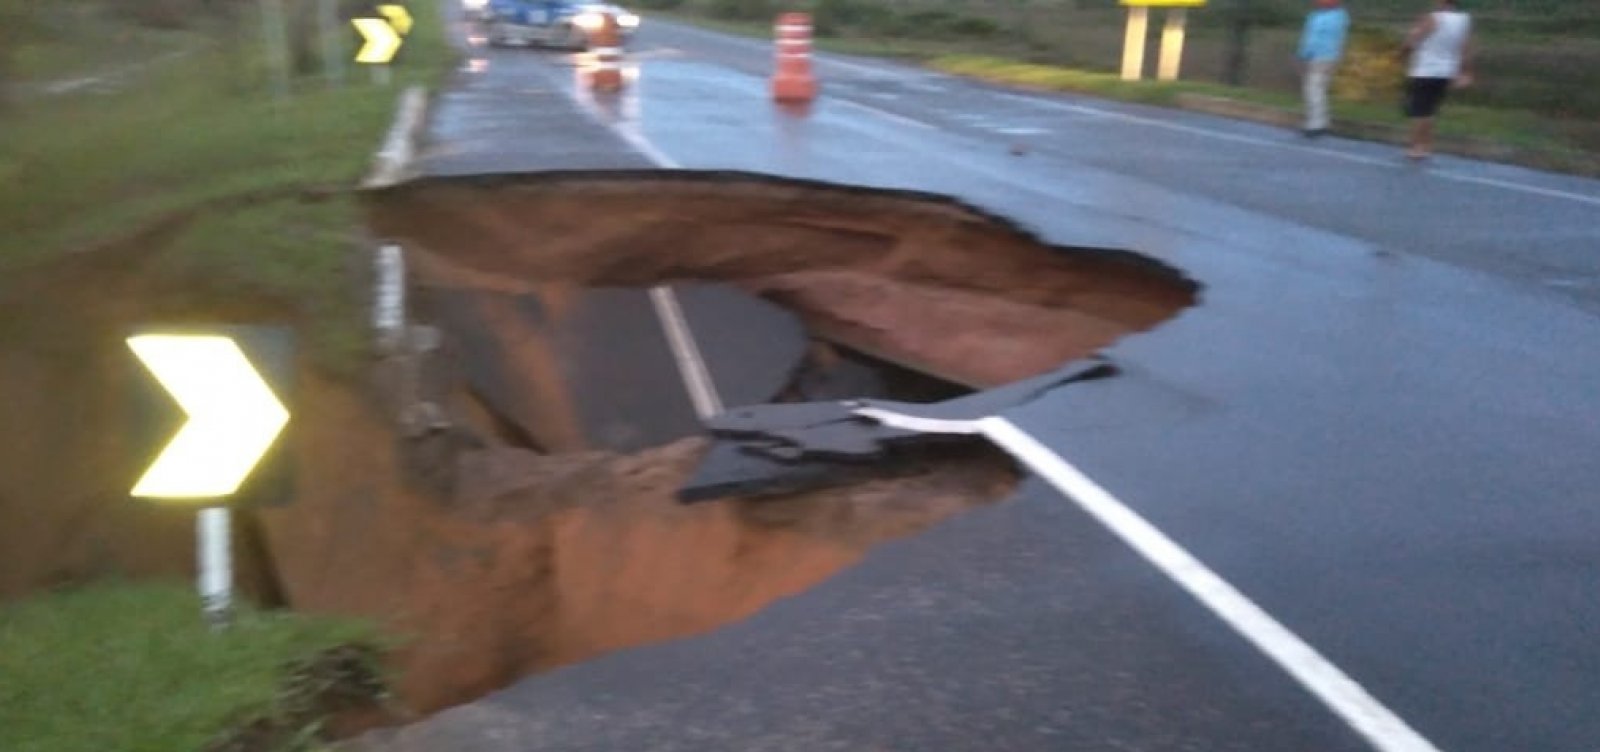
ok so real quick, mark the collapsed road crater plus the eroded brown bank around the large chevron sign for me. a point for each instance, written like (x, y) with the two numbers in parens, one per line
(529, 518)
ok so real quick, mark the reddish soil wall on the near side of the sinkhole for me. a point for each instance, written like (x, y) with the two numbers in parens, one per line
(545, 561)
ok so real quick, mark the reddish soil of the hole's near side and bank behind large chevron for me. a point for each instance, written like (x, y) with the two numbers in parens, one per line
(534, 561)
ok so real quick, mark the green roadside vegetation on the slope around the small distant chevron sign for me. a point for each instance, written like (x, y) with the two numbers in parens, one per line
(122, 114)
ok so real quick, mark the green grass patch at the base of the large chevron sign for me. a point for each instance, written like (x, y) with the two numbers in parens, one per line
(134, 668)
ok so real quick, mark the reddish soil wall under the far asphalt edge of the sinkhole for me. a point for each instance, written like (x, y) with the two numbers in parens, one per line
(914, 279)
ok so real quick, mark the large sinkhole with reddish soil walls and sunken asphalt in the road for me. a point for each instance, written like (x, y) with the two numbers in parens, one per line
(559, 538)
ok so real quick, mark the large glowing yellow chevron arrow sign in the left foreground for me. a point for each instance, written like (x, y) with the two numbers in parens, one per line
(233, 417)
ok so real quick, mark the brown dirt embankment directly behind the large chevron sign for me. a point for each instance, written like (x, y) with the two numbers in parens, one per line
(68, 407)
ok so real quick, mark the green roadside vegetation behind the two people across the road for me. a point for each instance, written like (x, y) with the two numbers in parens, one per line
(1538, 65)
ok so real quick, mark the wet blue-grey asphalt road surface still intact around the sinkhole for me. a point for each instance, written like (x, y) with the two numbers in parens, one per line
(1380, 425)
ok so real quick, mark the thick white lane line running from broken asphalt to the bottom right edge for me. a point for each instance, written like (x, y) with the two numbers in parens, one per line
(1338, 692)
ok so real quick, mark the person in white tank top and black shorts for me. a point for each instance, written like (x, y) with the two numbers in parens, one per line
(1441, 47)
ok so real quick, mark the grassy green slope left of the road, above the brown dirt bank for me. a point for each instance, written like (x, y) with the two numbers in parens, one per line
(194, 138)
